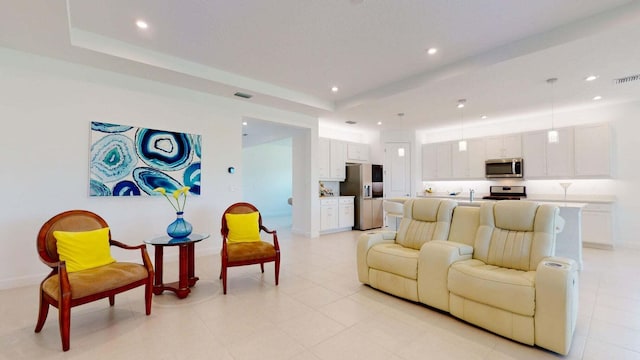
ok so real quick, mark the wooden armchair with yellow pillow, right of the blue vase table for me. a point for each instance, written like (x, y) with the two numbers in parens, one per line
(241, 243)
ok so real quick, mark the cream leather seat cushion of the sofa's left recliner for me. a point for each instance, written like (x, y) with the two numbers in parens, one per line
(395, 259)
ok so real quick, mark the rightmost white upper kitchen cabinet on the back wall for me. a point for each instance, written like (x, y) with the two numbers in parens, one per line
(592, 144)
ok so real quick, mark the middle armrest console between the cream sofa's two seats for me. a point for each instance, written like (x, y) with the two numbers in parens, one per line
(433, 270)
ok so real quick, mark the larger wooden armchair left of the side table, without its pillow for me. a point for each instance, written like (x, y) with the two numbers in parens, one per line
(64, 288)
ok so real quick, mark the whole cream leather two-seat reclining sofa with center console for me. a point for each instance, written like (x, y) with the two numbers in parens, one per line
(492, 266)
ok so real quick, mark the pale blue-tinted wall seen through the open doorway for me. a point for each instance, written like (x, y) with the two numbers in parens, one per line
(267, 177)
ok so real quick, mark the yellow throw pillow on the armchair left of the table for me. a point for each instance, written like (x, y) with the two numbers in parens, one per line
(84, 249)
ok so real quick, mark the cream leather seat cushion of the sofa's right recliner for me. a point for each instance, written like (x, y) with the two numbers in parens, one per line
(507, 289)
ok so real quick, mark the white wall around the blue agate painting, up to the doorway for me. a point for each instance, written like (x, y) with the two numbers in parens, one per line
(46, 107)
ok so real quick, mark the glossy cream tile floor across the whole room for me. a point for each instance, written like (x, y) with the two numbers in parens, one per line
(319, 311)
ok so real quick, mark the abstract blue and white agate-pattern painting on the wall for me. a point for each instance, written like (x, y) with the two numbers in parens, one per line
(131, 161)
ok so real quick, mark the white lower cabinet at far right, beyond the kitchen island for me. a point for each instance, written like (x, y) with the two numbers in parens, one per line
(597, 226)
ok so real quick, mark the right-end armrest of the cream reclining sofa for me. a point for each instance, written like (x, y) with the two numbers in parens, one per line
(556, 303)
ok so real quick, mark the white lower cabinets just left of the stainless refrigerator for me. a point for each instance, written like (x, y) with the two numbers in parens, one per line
(336, 214)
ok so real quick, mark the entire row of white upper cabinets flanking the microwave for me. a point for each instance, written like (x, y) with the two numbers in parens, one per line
(583, 151)
